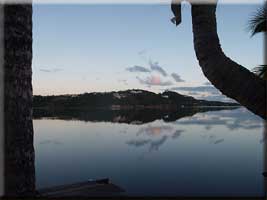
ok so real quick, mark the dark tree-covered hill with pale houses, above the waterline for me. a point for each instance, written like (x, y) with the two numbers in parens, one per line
(127, 99)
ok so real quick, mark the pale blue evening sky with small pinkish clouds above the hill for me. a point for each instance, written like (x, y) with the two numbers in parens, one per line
(111, 47)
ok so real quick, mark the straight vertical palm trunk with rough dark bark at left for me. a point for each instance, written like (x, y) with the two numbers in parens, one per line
(19, 150)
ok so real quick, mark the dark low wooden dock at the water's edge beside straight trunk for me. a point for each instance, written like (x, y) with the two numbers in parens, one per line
(96, 188)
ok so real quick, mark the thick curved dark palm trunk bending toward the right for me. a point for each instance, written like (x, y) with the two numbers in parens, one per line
(232, 79)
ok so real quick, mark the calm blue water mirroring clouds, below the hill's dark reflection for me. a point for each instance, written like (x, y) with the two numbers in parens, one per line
(210, 153)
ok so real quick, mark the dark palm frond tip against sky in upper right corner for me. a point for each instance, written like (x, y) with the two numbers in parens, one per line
(258, 22)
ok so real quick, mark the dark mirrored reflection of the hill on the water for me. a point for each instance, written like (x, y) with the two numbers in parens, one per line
(128, 116)
